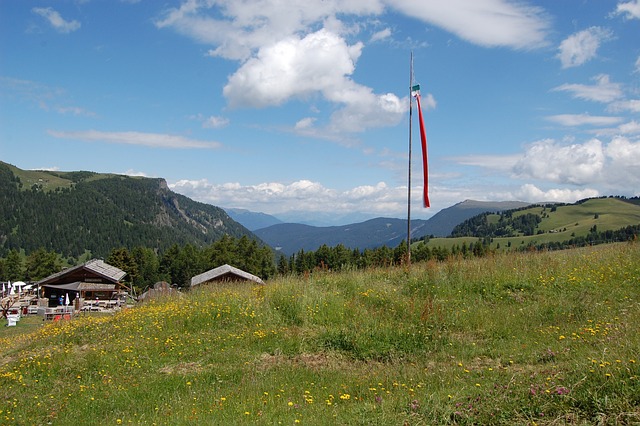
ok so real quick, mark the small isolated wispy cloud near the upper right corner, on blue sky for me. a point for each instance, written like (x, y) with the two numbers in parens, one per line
(582, 46)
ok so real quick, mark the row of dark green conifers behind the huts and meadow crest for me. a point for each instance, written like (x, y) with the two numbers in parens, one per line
(176, 265)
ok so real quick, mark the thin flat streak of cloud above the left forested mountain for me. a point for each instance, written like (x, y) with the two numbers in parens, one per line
(155, 140)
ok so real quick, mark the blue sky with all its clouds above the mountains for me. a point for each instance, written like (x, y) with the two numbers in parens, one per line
(300, 108)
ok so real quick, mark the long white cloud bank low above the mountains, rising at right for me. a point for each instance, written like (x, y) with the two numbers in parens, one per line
(563, 173)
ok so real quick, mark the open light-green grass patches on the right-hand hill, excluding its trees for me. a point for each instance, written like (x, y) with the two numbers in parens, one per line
(565, 222)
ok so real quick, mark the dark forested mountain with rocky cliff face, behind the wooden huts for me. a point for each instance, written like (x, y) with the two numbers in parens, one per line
(74, 212)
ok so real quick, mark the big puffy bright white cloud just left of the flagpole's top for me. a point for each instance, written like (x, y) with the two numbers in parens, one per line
(321, 63)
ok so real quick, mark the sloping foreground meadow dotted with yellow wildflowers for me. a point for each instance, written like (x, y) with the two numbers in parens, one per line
(519, 338)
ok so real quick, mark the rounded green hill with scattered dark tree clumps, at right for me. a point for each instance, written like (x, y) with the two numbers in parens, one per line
(592, 220)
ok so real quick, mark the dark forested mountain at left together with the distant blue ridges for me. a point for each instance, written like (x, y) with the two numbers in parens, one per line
(77, 212)
